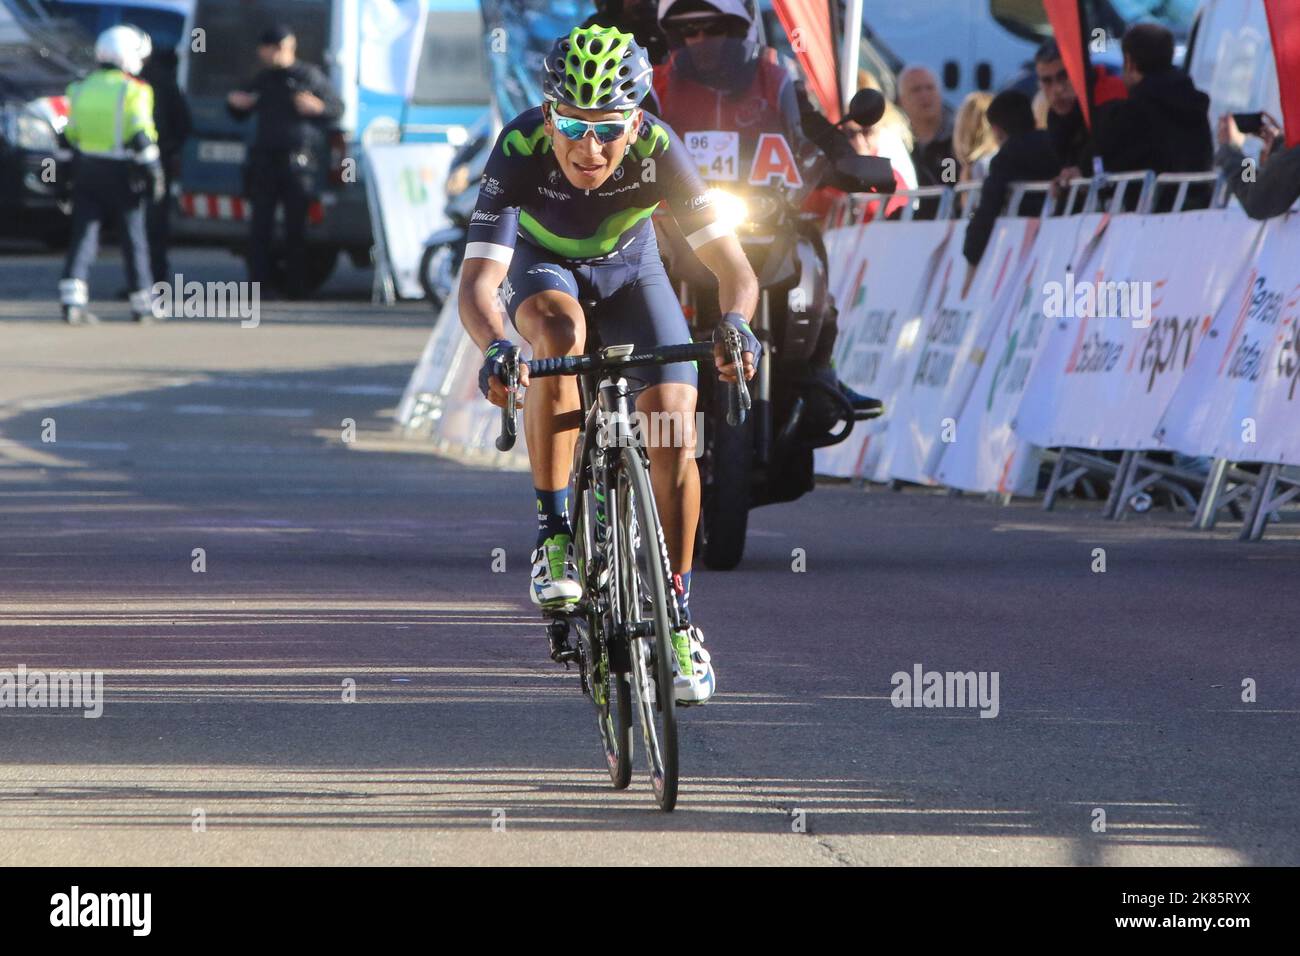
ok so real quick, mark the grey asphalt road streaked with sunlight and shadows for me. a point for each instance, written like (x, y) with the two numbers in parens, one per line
(226, 737)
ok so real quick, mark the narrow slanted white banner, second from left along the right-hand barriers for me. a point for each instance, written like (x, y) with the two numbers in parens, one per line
(947, 354)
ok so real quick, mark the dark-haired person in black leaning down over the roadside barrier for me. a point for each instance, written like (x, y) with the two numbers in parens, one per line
(1025, 155)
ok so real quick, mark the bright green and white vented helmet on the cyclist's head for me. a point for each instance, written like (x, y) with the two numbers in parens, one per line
(597, 68)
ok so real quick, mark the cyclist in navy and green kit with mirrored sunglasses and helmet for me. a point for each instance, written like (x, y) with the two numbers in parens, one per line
(564, 217)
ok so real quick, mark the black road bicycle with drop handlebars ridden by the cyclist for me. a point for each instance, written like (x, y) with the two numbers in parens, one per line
(626, 618)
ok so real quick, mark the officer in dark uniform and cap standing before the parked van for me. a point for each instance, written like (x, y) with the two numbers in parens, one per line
(294, 103)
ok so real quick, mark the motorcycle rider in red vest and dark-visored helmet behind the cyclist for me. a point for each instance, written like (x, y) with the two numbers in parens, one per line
(720, 77)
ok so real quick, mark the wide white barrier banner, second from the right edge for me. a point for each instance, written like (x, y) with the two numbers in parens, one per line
(1125, 325)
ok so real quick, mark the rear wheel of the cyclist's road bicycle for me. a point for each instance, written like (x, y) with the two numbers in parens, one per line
(609, 685)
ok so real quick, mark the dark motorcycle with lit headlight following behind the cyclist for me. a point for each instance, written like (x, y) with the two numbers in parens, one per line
(769, 457)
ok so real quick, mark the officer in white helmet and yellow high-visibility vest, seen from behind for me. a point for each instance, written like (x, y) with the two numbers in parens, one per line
(116, 172)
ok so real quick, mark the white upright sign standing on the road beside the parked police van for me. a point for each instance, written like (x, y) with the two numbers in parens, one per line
(409, 184)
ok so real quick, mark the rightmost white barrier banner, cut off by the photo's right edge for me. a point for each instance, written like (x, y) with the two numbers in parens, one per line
(1241, 397)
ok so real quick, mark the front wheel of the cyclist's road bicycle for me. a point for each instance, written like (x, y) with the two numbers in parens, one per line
(643, 583)
